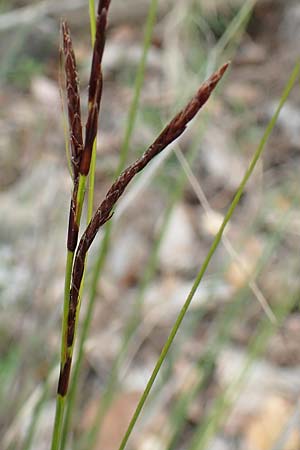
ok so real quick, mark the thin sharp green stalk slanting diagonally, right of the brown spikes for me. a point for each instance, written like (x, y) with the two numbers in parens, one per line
(209, 256)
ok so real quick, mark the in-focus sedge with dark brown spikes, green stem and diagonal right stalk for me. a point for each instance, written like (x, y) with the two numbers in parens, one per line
(81, 156)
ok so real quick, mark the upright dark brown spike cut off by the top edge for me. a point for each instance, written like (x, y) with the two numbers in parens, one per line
(95, 86)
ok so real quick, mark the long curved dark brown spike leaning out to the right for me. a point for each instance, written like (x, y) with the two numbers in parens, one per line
(104, 212)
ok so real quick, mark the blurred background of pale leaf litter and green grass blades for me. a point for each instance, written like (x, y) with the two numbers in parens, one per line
(232, 378)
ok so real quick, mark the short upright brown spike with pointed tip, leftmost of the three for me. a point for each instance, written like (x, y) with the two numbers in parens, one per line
(73, 100)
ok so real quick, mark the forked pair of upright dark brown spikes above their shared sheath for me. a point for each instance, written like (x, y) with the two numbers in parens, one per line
(81, 154)
